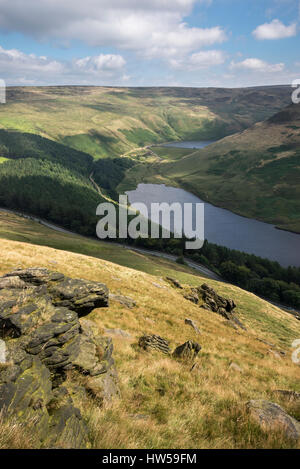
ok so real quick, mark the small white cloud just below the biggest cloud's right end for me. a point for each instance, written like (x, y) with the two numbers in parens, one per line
(199, 60)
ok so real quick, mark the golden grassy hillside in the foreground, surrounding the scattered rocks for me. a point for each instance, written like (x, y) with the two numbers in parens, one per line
(163, 403)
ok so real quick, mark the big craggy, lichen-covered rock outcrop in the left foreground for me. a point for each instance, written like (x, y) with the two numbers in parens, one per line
(43, 337)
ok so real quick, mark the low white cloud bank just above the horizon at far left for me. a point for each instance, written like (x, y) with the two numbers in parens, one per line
(17, 67)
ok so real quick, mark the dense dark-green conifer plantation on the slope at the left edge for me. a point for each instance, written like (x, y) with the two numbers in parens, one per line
(50, 191)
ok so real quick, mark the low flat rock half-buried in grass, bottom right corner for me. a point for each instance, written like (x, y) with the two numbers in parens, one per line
(272, 417)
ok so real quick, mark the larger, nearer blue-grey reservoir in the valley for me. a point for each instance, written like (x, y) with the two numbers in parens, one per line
(227, 229)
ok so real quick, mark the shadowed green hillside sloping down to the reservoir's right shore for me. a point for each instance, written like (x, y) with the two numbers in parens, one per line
(254, 173)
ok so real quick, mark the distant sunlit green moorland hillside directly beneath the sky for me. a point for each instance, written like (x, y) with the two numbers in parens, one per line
(105, 121)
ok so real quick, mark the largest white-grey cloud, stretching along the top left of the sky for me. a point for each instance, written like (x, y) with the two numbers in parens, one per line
(153, 28)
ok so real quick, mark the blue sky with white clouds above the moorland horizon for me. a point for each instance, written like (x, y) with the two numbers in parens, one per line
(198, 43)
